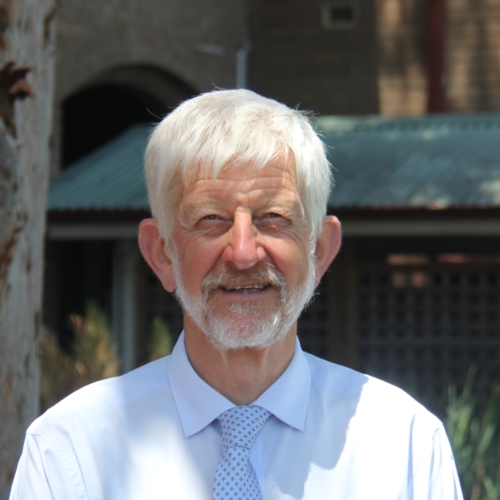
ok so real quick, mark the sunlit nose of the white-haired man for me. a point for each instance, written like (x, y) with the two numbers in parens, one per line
(243, 250)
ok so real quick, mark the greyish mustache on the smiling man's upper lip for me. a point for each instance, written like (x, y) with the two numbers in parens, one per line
(265, 274)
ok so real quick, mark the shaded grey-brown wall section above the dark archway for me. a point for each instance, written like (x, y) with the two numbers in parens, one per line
(194, 40)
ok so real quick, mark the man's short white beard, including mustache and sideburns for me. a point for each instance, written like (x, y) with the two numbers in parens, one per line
(227, 331)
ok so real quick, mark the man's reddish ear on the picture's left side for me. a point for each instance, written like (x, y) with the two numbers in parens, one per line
(154, 250)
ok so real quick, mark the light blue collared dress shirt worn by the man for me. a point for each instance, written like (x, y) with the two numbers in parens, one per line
(153, 434)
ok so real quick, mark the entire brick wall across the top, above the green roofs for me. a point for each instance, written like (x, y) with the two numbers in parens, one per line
(376, 66)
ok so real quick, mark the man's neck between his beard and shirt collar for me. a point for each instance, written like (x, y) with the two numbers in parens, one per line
(240, 375)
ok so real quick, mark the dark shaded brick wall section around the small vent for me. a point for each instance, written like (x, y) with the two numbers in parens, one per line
(295, 59)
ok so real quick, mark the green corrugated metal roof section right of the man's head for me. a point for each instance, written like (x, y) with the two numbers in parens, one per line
(439, 161)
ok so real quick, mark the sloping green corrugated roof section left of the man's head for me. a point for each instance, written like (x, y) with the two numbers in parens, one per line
(110, 178)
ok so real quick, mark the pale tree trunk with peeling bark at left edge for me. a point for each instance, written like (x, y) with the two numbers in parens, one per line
(27, 35)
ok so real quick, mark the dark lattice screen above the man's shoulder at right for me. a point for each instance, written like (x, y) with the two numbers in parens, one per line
(421, 328)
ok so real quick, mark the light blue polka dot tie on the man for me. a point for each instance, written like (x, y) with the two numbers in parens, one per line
(235, 478)
